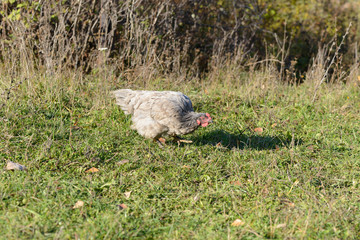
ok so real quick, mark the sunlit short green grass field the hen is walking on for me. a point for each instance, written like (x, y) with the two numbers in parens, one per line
(299, 178)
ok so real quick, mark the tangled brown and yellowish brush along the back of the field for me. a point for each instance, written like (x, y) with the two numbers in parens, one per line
(147, 38)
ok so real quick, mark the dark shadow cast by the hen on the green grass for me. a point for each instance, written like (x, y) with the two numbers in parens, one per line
(242, 141)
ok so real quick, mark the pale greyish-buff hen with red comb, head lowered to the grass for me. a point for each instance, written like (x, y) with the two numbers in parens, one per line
(156, 113)
